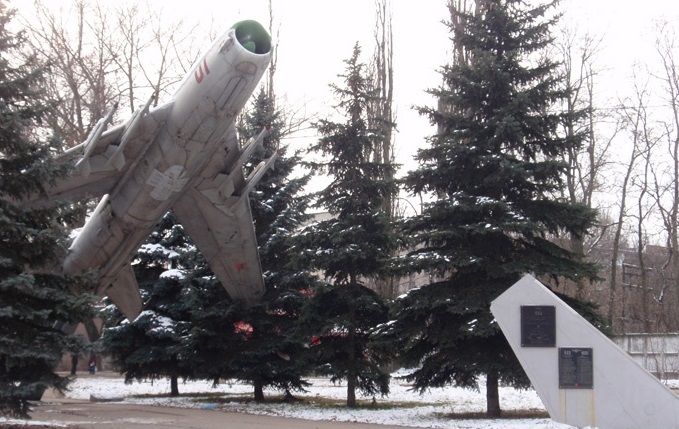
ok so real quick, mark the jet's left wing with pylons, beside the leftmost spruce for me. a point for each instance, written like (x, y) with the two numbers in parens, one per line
(103, 158)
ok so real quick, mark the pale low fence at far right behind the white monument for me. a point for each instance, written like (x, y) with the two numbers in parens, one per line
(658, 353)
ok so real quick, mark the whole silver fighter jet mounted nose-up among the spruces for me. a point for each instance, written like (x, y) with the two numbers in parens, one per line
(182, 156)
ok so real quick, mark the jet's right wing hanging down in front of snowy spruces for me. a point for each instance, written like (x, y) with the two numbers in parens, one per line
(220, 223)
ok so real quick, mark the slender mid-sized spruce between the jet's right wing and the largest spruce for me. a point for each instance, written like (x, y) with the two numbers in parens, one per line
(354, 245)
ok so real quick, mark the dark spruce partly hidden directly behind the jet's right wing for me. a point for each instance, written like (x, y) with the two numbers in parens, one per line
(272, 356)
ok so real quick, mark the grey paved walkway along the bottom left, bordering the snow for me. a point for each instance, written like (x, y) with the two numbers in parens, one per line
(89, 415)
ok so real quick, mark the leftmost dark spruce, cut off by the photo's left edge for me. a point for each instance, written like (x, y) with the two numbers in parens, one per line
(34, 302)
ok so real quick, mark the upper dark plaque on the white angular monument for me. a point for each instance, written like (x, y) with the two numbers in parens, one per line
(538, 326)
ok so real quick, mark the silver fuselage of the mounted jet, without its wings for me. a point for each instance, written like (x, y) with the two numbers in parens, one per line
(193, 134)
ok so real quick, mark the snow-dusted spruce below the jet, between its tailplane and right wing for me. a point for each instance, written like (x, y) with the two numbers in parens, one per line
(189, 326)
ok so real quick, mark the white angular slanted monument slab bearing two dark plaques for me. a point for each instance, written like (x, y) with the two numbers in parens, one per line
(581, 376)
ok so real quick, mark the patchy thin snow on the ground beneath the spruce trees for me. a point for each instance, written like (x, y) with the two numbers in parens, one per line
(402, 406)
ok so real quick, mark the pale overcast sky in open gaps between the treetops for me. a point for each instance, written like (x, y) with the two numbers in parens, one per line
(316, 35)
